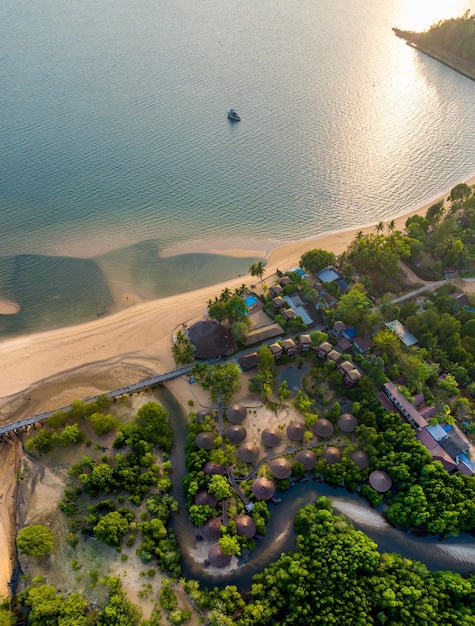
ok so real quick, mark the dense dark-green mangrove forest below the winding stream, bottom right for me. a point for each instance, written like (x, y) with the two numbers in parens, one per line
(337, 576)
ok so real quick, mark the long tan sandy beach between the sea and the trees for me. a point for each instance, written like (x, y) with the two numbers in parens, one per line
(74, 358)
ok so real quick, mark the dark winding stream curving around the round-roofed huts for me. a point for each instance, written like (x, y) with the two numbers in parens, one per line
(456, 554)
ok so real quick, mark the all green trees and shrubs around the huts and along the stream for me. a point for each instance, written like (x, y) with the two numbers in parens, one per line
(121, 499)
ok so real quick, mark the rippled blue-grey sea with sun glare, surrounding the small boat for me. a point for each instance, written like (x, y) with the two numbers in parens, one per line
(114, 139)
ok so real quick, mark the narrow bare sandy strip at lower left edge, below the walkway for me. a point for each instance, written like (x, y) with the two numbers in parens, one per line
(10, 454)
